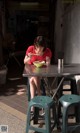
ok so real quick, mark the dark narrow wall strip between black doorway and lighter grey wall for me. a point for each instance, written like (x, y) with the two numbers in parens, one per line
(58, 29)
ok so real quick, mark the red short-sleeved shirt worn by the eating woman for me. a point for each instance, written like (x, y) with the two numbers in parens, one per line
(31, 49)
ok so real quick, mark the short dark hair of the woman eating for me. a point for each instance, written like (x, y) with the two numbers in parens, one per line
(40, 41)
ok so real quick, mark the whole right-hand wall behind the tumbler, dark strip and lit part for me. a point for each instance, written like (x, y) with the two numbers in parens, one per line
(67, 36)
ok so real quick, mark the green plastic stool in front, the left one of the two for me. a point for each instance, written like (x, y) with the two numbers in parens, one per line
(46, 103)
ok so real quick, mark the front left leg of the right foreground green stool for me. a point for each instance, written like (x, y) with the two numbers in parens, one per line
(65, 120)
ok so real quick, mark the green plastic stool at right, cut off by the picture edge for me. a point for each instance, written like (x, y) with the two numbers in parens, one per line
(67, 101)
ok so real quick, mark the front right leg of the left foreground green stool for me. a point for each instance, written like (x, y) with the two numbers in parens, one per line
(47, 120)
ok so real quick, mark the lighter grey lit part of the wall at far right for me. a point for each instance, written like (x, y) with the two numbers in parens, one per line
(71, 34)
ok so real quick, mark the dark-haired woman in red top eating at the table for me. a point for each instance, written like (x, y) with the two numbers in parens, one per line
(37, 52)
